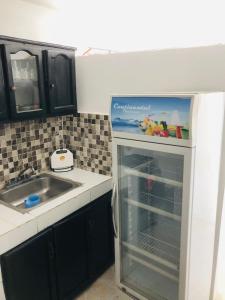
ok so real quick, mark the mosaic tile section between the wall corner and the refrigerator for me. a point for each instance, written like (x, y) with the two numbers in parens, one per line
(89, 136)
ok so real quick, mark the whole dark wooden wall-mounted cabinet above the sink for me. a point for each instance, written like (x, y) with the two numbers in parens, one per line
(36, 80)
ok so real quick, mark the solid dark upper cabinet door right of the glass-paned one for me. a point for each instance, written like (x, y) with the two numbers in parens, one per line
(61, 82)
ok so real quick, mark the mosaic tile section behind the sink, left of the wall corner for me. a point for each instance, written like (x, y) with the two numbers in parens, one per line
(27, 143)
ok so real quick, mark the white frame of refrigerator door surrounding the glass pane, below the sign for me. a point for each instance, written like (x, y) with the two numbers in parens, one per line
(188, 154)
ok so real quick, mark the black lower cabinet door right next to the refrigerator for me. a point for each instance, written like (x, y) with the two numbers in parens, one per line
(100, 236)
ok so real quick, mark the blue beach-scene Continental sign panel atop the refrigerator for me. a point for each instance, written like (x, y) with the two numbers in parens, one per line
(152, 116)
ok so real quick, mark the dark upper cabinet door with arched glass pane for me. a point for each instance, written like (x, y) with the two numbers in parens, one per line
(26, 81)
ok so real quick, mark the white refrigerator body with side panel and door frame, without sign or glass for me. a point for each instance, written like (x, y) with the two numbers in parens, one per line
(201, 176)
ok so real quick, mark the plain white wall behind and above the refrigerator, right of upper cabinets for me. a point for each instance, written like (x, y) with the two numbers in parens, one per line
(191, 69)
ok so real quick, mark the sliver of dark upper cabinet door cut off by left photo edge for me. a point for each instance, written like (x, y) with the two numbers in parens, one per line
(3, 99)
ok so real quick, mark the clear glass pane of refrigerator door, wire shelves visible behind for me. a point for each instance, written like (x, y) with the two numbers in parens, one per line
(150, 193)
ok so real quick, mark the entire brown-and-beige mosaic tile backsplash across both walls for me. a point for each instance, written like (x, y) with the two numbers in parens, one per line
(30, 143)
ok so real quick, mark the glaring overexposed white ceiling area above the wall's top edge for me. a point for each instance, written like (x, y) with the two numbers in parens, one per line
(131, 25)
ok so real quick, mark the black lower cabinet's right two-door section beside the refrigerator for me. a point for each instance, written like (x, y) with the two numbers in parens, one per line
(83, 247)
